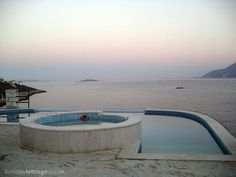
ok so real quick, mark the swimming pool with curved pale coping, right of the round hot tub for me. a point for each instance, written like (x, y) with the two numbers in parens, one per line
(165, 136)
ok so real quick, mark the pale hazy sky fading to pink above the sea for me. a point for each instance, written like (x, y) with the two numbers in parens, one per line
(115, 39)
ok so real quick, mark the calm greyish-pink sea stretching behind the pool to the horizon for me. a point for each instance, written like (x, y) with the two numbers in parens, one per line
(214, 97)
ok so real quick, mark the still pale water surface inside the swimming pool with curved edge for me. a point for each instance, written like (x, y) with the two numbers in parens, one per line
(167, 134)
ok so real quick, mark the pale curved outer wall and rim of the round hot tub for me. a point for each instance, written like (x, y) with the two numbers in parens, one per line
(80, 138)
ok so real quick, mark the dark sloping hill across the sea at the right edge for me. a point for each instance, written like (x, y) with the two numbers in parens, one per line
(229, 72)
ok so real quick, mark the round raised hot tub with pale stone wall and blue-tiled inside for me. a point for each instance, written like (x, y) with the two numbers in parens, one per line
(77, 132)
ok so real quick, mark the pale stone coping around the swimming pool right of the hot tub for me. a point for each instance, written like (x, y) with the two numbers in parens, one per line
(227, 139)
